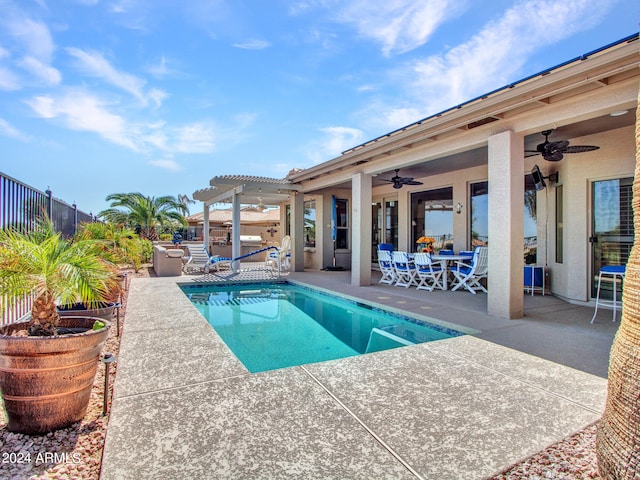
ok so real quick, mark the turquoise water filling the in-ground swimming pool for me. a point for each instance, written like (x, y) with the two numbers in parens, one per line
(277, 325)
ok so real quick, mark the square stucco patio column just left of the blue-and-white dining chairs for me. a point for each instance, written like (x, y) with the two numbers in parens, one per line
(361, 229)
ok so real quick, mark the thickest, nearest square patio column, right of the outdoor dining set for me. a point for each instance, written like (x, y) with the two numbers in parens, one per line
(506, 225)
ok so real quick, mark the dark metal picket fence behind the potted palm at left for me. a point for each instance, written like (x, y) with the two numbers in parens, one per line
(21, 206)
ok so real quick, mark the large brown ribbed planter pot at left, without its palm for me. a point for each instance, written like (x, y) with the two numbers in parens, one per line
(46, 381)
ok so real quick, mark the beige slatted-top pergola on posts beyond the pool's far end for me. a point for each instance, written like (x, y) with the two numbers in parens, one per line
(241, 190)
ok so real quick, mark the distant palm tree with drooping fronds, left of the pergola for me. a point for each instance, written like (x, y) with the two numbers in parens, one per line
(148, 213)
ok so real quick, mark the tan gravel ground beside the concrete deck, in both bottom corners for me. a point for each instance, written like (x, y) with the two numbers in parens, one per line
(76, 452)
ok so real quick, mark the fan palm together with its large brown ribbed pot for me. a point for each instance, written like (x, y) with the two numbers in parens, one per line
(48, 363)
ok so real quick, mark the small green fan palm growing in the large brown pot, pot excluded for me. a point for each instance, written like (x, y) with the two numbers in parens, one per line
(53, 269)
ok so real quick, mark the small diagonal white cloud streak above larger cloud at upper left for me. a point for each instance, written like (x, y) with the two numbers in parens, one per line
(94, 64)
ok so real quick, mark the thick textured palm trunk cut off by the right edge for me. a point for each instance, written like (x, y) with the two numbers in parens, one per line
(618, 438)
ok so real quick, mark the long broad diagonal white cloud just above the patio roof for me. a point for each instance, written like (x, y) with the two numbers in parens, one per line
(488, 60)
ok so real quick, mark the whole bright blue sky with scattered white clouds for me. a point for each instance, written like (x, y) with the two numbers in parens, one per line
(158, 96)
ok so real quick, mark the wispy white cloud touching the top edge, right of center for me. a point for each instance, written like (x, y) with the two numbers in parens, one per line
(398, 25)
